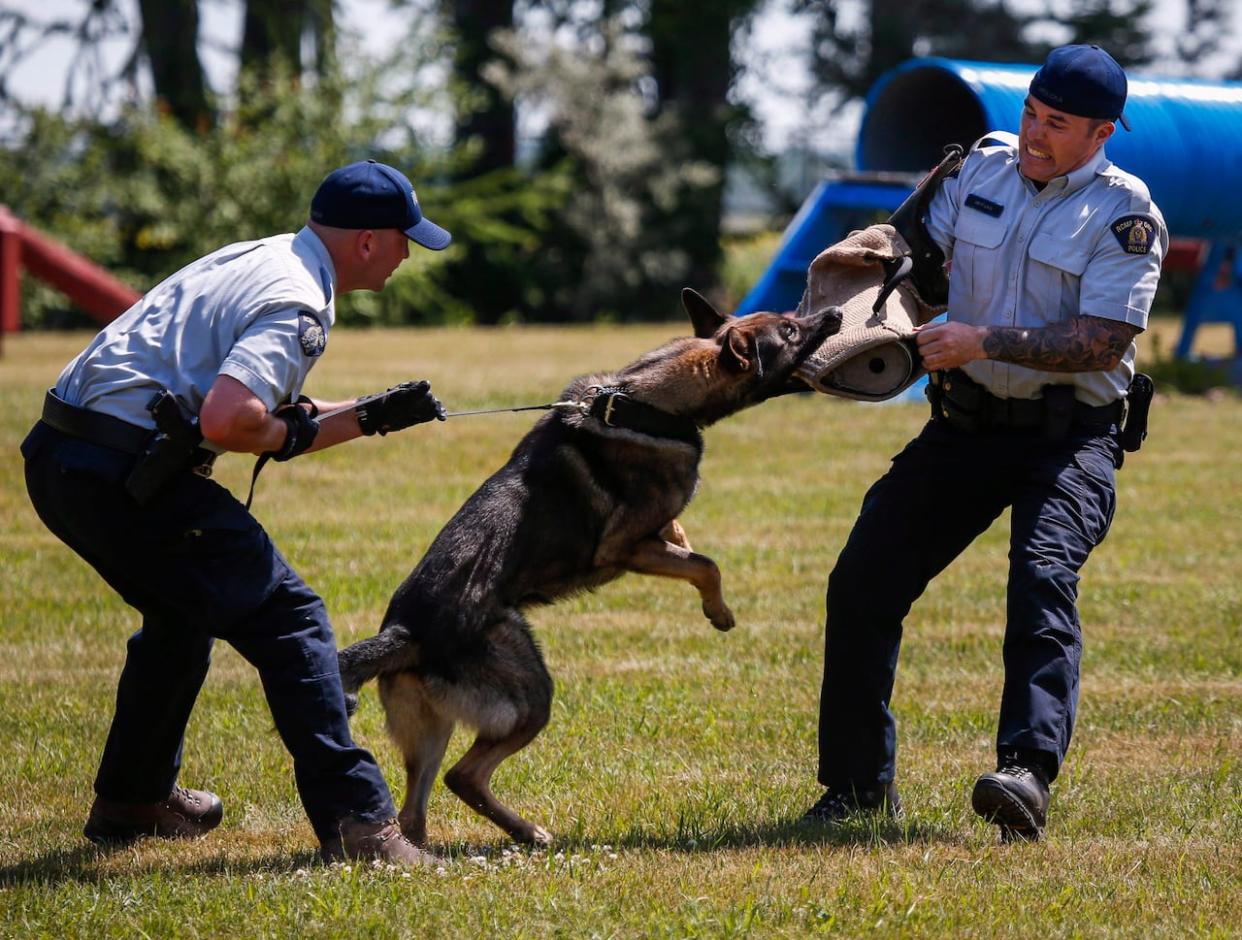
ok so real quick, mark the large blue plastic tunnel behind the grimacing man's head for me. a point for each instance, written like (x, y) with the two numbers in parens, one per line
(1185, 145)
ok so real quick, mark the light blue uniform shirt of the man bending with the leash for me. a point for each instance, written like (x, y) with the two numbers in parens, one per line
(259, 312)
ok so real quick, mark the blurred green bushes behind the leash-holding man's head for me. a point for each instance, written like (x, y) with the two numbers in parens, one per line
(143, 197)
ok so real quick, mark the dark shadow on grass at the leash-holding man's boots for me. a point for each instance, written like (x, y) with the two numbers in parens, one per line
(90, 864)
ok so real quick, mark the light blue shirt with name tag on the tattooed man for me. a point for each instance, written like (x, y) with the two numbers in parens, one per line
(1089, 244)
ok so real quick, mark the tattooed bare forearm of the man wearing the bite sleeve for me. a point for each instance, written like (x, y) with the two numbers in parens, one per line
(1081, 345)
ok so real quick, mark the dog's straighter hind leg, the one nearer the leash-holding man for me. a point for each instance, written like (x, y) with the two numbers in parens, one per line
(422, 733)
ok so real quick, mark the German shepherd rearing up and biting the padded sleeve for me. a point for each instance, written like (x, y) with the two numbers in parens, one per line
(586, 497)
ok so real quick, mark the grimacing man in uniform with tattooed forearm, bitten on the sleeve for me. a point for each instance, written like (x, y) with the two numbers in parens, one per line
(1055, 260)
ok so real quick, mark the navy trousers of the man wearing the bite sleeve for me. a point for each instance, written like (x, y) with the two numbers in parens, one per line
(943, 491)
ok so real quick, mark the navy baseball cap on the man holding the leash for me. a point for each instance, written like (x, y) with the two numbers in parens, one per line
(373, 196)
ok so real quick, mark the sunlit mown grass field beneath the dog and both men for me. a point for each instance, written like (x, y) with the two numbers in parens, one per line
(678, 761)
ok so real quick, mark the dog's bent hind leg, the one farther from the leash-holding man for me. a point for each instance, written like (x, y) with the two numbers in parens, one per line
(511, 703)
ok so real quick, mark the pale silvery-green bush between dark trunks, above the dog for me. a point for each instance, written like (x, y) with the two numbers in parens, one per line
(612, 253)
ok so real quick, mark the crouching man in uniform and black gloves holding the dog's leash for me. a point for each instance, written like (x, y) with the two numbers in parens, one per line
(228, 342)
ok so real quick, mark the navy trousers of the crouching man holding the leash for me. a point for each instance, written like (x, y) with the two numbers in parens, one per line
(197, 566)
